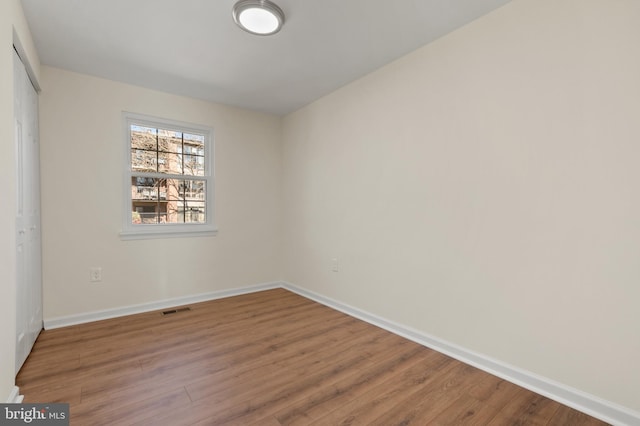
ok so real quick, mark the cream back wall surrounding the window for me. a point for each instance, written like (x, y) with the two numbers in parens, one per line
(82, 151)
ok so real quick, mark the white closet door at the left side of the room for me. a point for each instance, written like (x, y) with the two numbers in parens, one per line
(28, 242)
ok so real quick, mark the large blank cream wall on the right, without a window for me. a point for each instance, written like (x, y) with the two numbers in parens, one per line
(484, 190)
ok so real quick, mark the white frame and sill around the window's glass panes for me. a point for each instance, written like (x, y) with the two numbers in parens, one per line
(132, 231)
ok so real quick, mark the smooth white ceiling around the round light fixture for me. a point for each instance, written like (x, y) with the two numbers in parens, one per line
(193, 48)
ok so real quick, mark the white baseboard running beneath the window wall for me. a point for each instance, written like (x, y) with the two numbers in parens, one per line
(65, 321)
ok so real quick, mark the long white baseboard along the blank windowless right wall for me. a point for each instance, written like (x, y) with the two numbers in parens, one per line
(589, 404)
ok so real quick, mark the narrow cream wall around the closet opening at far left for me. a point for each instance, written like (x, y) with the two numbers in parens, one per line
(13, 28)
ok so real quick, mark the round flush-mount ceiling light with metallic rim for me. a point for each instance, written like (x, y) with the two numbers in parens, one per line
(261, 17)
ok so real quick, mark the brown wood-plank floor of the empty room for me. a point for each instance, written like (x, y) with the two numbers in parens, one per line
(268, 358)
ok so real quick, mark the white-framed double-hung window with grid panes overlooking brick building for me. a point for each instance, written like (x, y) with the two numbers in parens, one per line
(168, 179)
